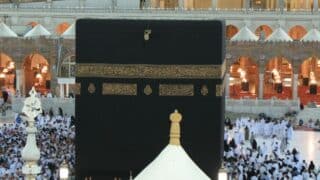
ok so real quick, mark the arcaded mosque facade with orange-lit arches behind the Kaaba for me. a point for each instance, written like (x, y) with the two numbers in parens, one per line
(286, 66)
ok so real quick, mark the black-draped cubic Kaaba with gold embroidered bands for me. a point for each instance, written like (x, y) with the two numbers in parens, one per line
(131, 74)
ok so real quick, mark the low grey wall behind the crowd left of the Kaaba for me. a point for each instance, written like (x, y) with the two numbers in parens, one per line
(66, 104)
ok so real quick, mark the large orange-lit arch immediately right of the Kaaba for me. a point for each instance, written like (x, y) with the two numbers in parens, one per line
(244, 78)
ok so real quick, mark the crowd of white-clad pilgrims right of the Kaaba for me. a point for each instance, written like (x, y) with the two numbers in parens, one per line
(272, 159)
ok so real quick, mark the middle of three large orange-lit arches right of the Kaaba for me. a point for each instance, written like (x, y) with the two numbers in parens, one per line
(278, 78)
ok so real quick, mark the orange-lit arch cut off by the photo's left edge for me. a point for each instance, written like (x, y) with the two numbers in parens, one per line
(7, 73)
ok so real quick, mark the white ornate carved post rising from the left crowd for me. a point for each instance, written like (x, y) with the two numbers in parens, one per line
(31, 153)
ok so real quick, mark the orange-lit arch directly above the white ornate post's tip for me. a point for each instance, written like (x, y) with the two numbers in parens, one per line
(36, 73)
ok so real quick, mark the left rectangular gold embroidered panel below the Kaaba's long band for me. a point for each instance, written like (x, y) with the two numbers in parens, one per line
(123, 89)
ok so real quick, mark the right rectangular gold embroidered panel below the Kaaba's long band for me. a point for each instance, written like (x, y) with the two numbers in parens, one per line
(176, 90)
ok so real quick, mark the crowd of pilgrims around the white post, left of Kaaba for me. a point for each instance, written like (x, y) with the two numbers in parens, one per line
(55, 139)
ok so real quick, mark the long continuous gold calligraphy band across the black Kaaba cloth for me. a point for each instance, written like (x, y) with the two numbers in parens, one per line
(149, 71)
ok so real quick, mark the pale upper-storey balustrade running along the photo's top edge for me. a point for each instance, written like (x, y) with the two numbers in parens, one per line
(109, 9)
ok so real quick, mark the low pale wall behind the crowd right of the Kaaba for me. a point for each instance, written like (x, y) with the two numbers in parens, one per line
(274, 107)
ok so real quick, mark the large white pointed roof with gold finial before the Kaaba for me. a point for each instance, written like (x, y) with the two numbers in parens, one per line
(173, 163)
